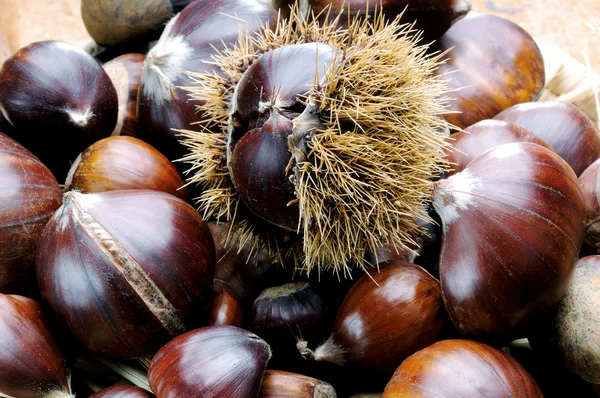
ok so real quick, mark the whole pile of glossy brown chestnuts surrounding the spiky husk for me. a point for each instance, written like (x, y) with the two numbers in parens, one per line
(108, 271)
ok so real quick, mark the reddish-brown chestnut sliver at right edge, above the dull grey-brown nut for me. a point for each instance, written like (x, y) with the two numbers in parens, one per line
(590, 187)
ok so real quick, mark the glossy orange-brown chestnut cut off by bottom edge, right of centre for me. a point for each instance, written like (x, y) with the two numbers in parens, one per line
(461, 368)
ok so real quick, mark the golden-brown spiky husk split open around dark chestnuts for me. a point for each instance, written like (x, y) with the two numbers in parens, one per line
(365, 175)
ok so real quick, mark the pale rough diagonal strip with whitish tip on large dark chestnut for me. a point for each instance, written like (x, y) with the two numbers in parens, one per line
(150, 294)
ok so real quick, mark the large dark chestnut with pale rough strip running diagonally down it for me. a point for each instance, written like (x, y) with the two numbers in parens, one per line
(126, 270)
